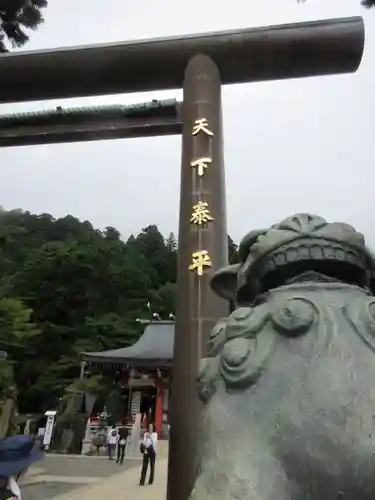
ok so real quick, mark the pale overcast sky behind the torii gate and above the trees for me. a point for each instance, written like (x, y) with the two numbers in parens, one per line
(290, 146)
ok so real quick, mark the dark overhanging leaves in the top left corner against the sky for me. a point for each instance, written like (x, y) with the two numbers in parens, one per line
(17, 17)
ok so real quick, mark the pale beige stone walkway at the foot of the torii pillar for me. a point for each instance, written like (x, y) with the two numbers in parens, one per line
(123, 485)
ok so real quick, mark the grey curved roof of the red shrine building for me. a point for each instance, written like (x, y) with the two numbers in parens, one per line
(154, 348)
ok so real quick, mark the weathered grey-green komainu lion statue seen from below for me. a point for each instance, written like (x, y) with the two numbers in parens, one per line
(289, 384)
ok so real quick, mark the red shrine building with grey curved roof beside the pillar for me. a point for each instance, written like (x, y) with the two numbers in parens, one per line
(143, 374)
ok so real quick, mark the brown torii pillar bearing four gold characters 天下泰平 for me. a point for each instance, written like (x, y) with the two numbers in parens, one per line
(202, 248)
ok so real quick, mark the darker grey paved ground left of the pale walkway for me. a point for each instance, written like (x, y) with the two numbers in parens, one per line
(59, 475)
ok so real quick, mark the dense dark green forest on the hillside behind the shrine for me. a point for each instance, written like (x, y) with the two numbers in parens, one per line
(66, 288)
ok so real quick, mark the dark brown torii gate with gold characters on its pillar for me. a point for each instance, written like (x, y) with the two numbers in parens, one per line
(200, 64)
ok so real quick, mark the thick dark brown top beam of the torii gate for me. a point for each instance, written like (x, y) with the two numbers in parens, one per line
(249, 55)
